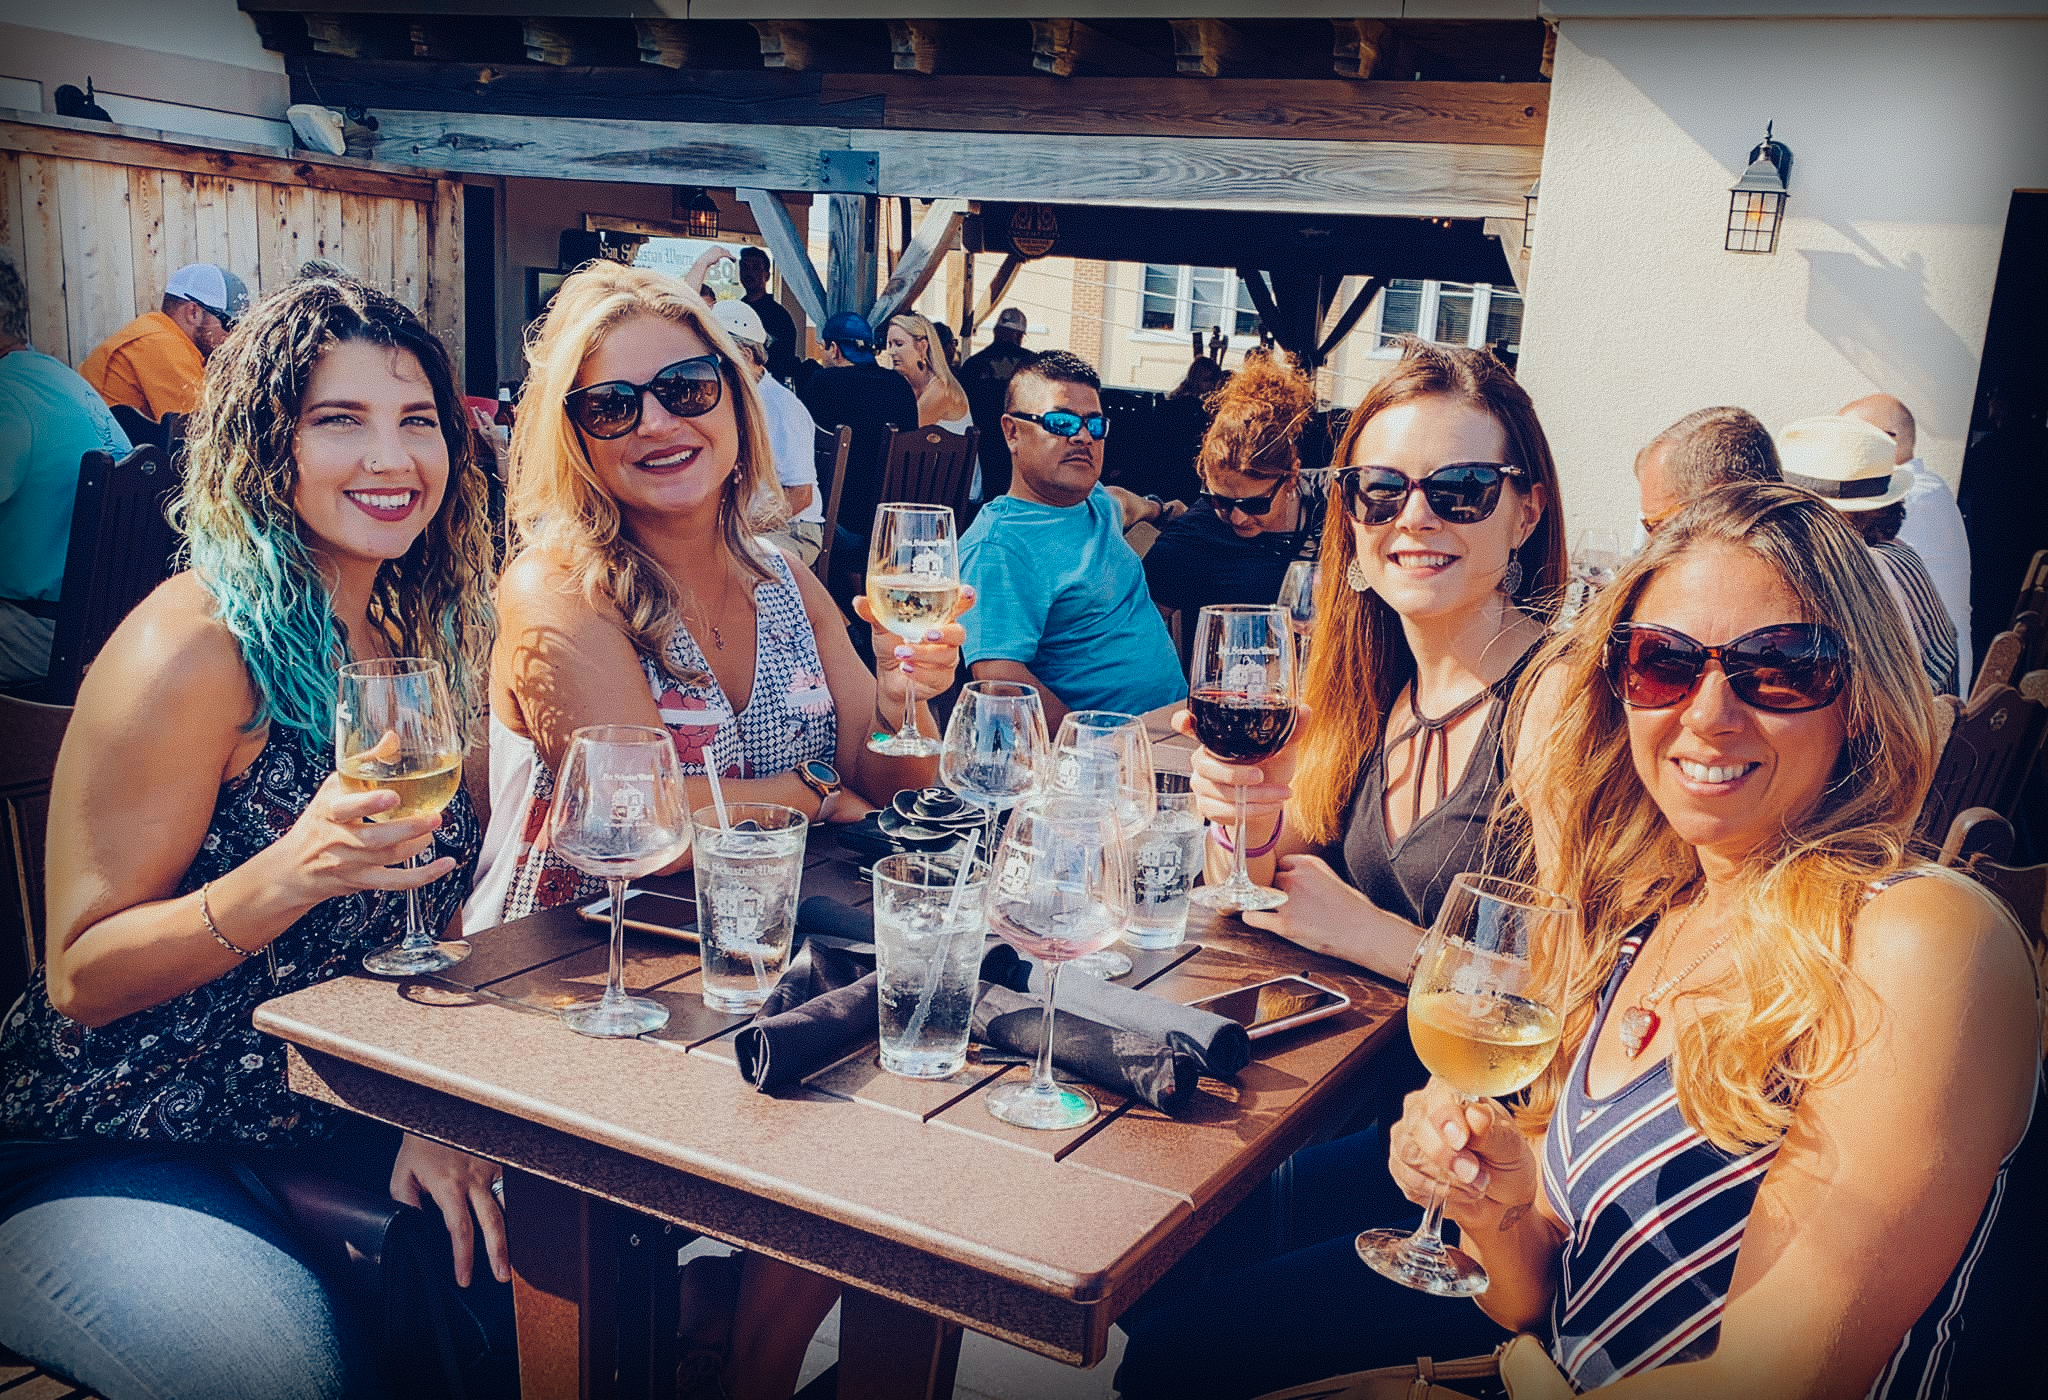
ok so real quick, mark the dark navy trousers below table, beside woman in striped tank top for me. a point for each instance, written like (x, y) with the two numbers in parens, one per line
(1277, 1295)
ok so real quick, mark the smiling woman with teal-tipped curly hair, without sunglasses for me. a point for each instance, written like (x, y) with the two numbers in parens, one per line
(204, 859)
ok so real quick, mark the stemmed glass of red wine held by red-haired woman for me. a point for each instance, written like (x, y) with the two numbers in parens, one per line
(1244, 713)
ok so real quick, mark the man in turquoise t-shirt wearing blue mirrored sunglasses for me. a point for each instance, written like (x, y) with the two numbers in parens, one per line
(1060, 599)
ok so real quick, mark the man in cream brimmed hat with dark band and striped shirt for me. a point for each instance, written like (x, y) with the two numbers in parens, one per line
(1850, 466)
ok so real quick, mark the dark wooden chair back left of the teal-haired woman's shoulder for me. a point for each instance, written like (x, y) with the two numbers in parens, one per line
(122, 548)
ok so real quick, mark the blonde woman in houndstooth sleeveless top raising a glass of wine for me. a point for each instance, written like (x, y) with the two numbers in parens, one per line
(644, 595)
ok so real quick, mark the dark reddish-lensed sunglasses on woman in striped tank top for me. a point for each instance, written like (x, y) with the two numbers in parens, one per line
(1789, 668)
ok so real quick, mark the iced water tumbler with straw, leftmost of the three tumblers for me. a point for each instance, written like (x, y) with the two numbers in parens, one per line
(746, 900)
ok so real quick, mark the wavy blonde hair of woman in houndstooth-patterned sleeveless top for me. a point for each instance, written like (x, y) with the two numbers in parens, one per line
(556, 498)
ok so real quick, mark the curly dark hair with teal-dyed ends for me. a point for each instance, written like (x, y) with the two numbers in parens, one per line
(247, 543)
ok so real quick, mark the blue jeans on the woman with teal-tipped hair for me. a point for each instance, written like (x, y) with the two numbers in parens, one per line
(153, 1272)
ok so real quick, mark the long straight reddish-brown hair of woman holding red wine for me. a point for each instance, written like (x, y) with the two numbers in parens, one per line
(1361, 658)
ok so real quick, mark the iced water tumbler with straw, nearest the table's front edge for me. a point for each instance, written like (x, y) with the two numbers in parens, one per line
(929, 934)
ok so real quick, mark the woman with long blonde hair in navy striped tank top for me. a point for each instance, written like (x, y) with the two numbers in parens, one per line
(1773, 1151)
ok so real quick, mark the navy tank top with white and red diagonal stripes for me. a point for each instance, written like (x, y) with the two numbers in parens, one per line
(1658, 1215)
